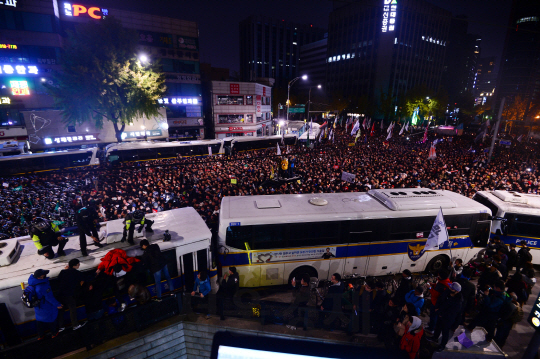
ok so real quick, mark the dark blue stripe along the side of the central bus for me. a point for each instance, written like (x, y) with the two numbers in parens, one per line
(357, 250)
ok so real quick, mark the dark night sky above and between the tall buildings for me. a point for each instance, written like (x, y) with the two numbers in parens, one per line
(218, 20)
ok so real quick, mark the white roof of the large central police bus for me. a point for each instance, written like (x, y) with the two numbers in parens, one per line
(380, 203)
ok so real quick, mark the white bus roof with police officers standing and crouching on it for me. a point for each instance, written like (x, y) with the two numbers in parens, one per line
(185, 225)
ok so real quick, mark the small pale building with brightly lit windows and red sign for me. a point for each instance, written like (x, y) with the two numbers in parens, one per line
(241, 109)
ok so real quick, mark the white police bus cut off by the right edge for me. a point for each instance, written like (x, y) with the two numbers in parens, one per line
(516, 217)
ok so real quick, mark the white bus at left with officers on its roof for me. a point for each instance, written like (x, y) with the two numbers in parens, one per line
(186, 253)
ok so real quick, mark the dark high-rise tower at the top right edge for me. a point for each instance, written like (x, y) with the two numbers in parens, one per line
(520, 66)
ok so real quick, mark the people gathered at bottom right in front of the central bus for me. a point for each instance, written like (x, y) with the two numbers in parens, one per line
(452, 300)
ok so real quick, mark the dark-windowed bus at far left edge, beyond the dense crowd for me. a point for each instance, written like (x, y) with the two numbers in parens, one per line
(49, 161)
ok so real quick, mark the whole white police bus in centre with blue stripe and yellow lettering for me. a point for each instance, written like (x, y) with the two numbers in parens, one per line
(270, 239)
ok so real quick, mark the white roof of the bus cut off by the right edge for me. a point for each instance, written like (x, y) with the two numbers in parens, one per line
(514, 202)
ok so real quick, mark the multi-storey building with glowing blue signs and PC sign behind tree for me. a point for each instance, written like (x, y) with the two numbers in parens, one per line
(31, 37)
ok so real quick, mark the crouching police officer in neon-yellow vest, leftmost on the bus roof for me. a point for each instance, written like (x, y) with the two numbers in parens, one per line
(46, 235)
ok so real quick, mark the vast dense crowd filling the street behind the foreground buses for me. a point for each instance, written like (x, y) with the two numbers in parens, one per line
(461, 166)
